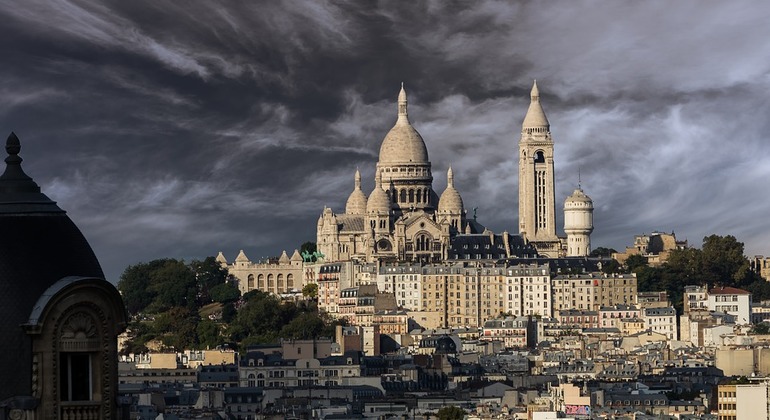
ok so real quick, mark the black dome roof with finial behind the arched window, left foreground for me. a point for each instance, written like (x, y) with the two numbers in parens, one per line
(39, 245)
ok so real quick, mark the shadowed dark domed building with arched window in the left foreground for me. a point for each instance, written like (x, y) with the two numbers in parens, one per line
(59, 317)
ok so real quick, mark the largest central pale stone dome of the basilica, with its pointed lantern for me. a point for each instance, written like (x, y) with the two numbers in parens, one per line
(403, 144)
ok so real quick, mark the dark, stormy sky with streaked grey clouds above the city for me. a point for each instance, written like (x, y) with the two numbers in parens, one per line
(181, 129)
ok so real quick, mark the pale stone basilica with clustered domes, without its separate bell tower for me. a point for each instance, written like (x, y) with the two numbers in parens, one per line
(403, 218)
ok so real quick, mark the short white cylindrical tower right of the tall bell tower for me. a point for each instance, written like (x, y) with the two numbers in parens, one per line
(578, 223)
